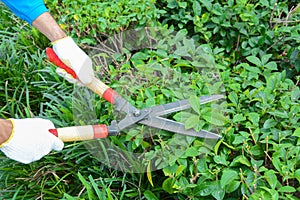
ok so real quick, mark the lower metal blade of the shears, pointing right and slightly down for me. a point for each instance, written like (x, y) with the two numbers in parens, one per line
(176, 127)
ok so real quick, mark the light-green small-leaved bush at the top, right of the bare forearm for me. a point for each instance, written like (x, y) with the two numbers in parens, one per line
(91, 21)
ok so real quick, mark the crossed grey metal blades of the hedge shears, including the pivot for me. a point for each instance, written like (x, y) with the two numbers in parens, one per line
(152, 117)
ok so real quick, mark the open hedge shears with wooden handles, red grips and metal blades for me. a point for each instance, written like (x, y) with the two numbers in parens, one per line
(152, 117)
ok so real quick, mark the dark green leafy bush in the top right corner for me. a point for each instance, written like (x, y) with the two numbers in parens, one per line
(240, 28)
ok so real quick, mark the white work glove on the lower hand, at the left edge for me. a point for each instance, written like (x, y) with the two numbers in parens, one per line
(31, 140)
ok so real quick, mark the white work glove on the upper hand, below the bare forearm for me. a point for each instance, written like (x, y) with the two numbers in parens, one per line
(72, 56)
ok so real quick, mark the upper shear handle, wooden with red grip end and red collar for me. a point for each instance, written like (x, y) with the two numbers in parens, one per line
(96, 85)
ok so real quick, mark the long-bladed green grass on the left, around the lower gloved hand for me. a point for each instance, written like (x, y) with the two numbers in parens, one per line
(29, 87)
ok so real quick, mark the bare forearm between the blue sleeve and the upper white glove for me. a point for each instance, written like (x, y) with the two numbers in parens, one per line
(49, 27)
